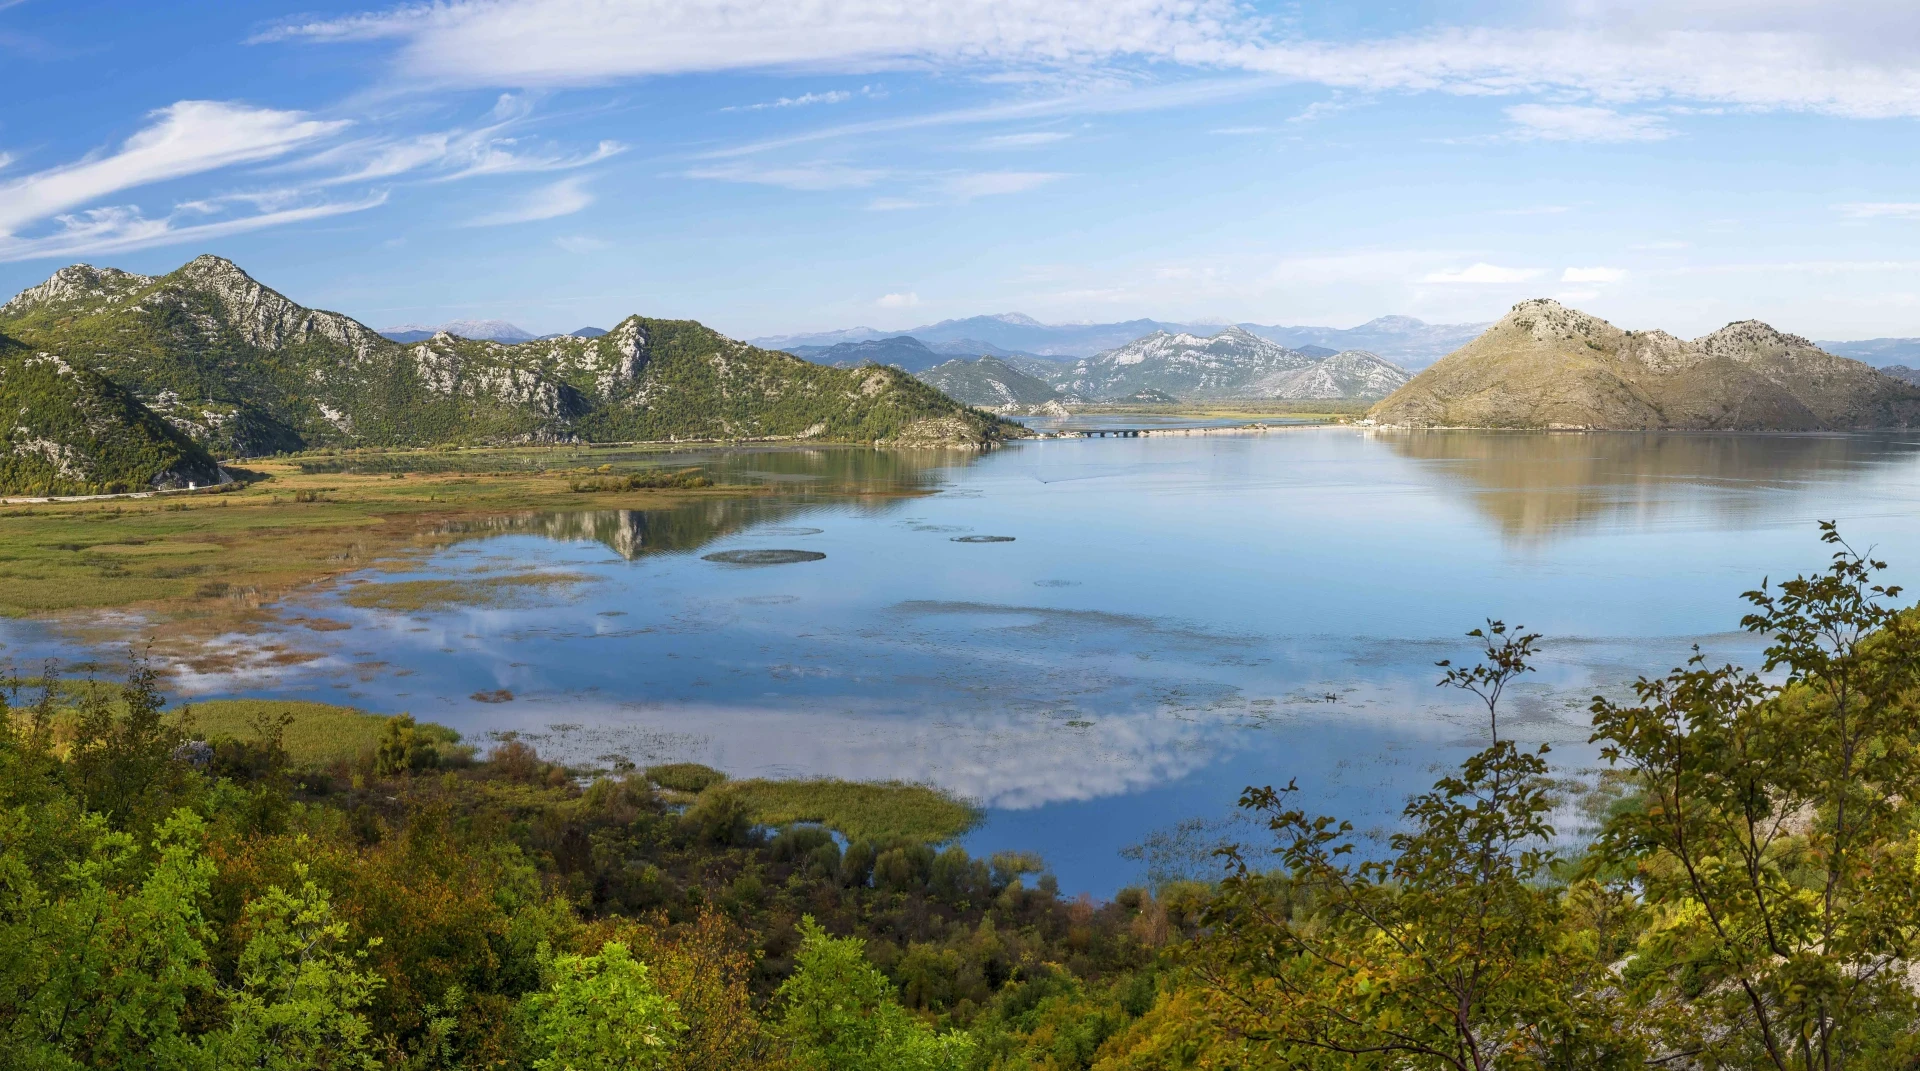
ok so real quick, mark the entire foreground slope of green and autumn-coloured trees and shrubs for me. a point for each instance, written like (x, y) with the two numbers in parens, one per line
(1750, 899)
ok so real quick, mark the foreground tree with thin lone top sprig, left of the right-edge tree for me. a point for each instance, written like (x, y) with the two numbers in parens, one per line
(1452, 951)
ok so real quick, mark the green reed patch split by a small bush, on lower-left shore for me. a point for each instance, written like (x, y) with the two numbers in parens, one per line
(314, 734)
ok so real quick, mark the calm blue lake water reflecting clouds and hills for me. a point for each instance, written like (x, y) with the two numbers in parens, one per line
(1172, 619)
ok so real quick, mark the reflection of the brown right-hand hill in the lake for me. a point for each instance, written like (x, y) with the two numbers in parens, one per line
(1548, 485)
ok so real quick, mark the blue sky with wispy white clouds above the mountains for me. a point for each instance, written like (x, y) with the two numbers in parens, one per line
(777, 168)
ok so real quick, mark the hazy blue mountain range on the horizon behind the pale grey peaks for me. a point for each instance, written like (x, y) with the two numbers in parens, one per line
(1403, 341)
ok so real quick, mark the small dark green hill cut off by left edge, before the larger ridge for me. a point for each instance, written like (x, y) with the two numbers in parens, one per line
(68, 431)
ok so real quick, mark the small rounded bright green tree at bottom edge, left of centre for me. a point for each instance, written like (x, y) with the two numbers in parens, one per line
(600, 1014)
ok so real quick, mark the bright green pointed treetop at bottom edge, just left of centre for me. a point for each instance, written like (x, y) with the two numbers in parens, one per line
(842, 1014)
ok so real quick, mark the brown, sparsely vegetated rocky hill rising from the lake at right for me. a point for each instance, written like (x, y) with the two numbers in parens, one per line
(1545, 366)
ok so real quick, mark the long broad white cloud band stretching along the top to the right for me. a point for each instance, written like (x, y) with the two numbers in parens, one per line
(1710, 55)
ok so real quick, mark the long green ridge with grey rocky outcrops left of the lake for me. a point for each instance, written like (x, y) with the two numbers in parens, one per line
(243, 369)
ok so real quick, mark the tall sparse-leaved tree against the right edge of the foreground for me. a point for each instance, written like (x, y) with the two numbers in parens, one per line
(1775, 838)
